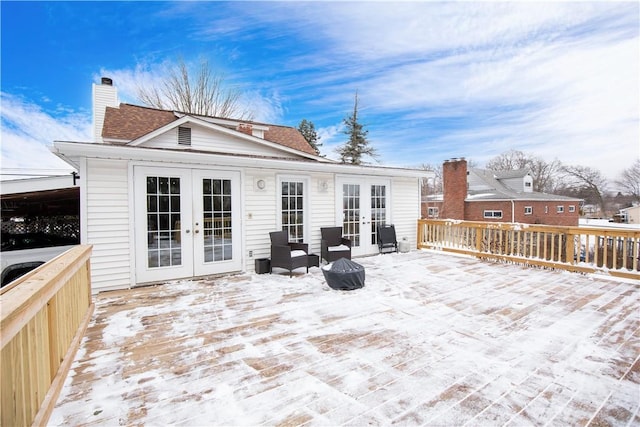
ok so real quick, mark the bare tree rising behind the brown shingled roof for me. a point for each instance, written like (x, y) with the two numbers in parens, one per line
(203, 94)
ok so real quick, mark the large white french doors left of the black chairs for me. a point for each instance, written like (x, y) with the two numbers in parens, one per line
(186, 223)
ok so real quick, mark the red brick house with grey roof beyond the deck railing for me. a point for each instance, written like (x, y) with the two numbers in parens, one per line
(484, 195)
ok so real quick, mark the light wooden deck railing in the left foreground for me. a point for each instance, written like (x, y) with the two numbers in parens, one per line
(44, 316)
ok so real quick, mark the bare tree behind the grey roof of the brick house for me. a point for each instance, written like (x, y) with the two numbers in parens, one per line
(544, 174)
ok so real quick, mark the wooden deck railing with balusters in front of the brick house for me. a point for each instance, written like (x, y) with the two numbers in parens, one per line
(585, 249)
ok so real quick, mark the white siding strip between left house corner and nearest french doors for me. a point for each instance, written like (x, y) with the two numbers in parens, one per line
(107, 207)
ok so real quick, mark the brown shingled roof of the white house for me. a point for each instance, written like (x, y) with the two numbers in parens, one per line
(129, 122)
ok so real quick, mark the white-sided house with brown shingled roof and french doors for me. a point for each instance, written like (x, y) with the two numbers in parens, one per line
(167, 195)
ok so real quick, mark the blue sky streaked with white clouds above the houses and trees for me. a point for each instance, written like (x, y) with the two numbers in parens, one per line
(558, 80)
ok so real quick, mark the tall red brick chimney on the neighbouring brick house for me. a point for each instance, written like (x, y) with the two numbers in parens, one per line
(454, 183)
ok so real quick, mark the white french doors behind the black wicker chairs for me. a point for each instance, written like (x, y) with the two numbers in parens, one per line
(364, 204)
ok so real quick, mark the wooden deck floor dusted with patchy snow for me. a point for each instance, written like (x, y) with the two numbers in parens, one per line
(432, 339)
